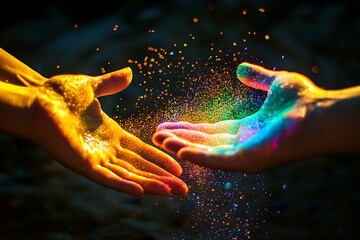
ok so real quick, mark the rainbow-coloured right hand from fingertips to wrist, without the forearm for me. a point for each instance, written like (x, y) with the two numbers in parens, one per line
(281, 131)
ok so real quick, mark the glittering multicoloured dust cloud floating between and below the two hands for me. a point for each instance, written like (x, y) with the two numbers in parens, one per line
(220, 205)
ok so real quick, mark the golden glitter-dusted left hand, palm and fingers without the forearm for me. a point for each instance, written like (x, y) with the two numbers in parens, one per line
(70, 124)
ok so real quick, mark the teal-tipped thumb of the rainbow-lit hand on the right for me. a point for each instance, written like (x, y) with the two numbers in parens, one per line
(256, 76)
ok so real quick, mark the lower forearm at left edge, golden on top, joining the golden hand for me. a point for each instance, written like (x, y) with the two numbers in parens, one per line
(16, 114)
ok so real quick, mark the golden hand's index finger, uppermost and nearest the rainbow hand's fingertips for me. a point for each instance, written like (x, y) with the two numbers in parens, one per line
(151, 153)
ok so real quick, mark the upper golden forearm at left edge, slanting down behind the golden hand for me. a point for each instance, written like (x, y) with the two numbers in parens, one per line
(14, 71)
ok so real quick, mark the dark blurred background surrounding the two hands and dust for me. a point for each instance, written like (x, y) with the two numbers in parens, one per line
(317, 198)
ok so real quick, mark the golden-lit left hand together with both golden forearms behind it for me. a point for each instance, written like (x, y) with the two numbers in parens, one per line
(63, 115)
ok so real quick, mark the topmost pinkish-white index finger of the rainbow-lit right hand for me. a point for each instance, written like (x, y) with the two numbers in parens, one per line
(229, 126)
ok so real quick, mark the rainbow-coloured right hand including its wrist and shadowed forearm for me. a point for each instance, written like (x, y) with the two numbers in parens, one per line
(298, 120)
